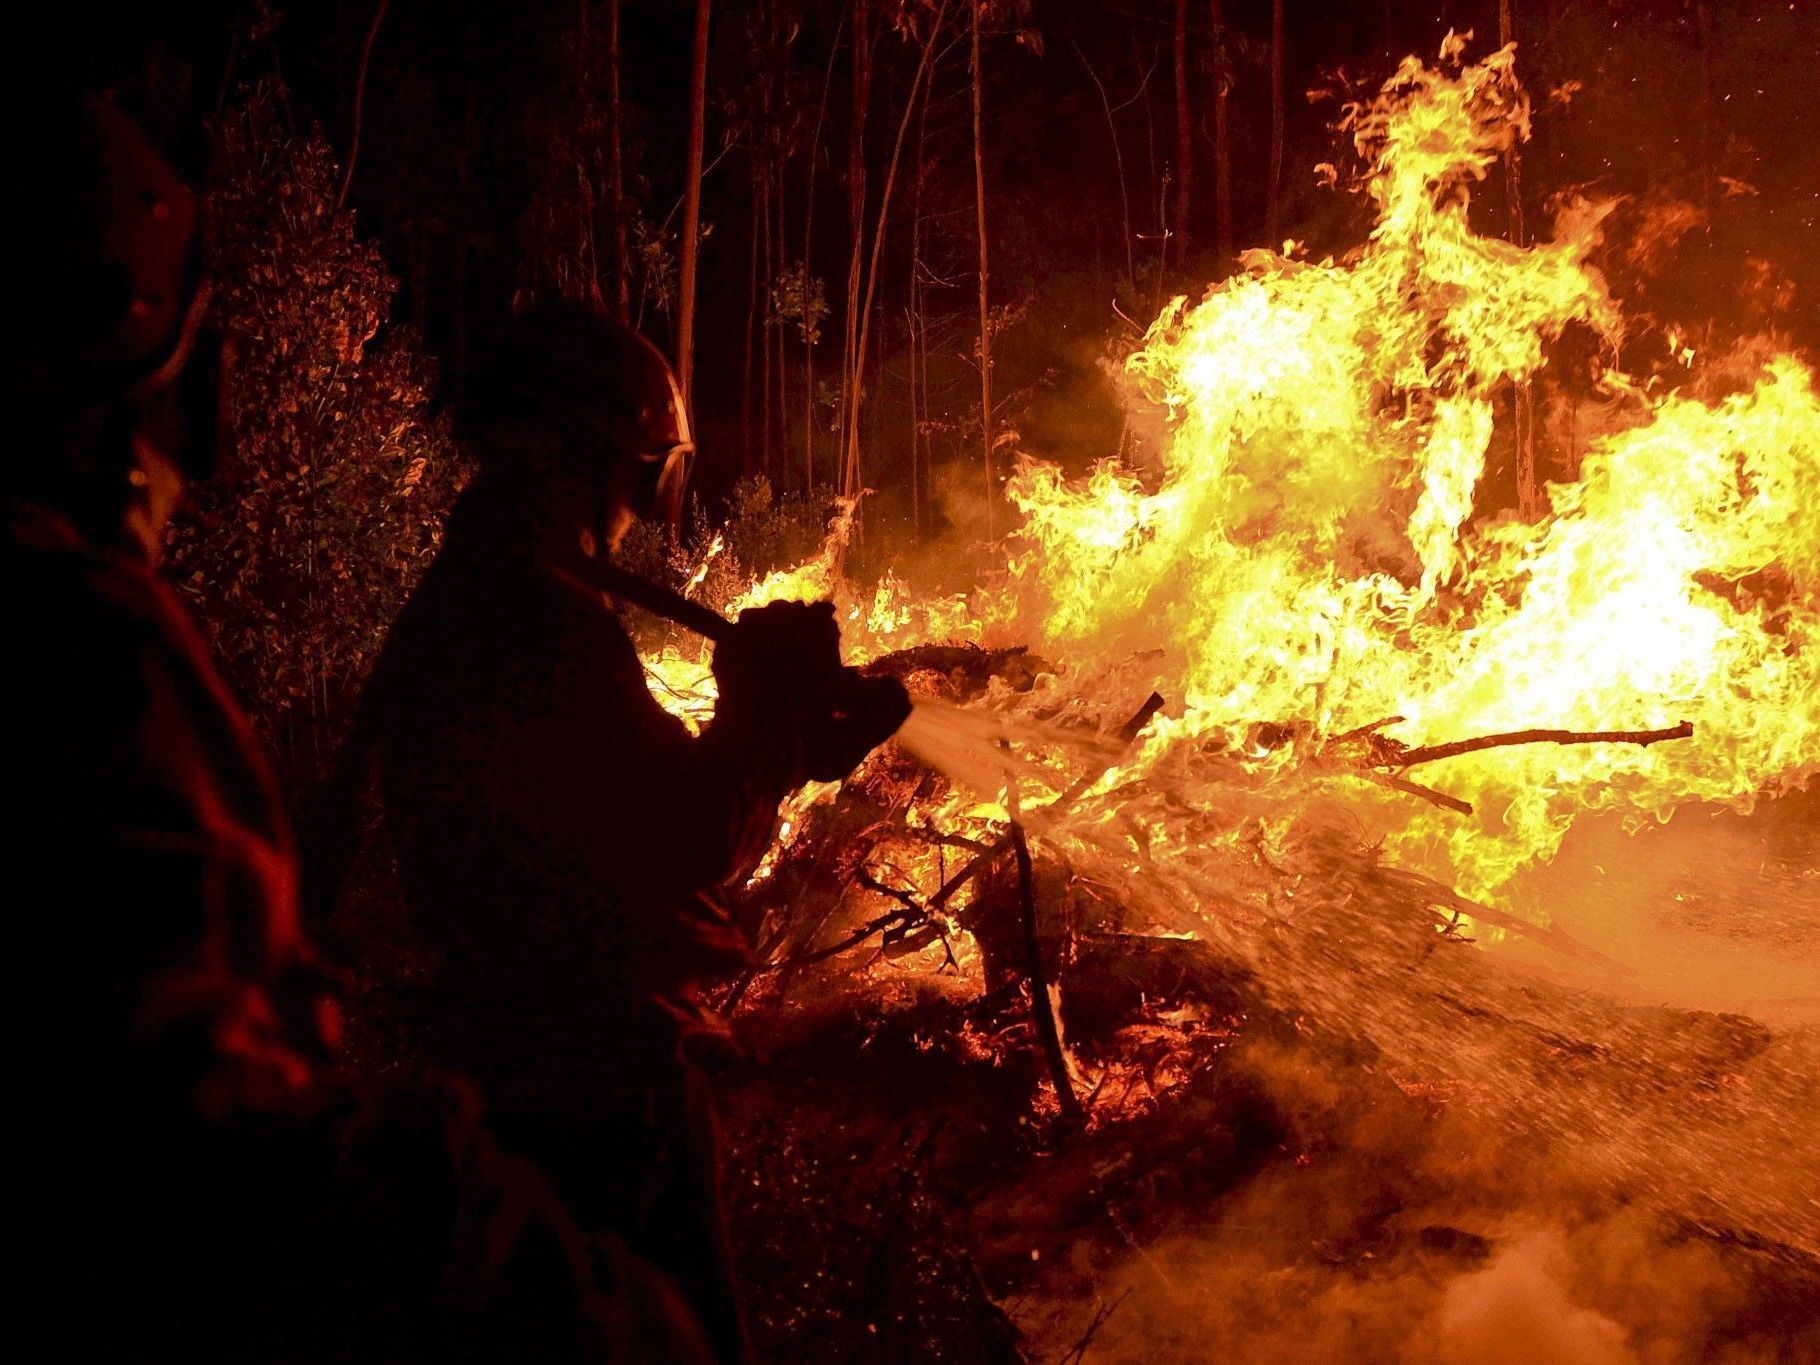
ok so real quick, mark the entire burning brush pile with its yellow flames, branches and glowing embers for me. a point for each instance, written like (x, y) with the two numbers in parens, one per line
(1282, 731)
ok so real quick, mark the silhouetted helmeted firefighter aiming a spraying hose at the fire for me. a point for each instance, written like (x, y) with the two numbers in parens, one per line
(561, 836)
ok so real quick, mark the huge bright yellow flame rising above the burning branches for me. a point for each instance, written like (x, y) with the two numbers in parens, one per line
(1319, 543)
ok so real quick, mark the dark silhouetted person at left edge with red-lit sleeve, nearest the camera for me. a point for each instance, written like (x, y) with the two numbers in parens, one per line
(194, 1177)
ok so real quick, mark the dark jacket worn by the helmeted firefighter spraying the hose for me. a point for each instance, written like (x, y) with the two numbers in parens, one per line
(560, 834)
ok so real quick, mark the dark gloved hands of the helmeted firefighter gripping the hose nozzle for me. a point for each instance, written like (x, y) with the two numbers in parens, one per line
(780, 674)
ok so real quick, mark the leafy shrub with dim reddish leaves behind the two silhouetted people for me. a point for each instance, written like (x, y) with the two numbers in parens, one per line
(338, 478)
